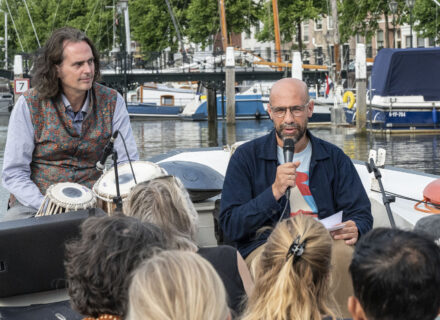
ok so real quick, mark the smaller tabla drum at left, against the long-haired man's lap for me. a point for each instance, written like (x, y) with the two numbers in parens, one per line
(65, 197)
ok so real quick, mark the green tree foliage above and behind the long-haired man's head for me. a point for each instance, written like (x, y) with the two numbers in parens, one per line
(47, 15)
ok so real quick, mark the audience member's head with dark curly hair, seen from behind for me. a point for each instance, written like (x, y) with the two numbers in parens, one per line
(99, 264)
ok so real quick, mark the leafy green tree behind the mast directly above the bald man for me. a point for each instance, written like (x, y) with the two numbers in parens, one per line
(291, 15)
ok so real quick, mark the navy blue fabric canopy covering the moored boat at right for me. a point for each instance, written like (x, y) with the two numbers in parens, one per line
(407, 72)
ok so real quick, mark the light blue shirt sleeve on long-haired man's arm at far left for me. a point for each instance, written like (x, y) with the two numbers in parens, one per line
(16, 176)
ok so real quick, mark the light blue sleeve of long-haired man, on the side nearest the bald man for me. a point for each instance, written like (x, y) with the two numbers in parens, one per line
(121, 122)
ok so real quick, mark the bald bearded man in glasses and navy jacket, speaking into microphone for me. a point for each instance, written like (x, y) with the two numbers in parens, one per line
(322, 179)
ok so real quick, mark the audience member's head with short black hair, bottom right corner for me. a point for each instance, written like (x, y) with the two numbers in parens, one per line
(396, 275)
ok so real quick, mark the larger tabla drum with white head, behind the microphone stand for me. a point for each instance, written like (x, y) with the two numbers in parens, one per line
(105, 187)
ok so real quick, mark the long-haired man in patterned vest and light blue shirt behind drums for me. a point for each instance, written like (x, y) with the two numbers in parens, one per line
(58, 128)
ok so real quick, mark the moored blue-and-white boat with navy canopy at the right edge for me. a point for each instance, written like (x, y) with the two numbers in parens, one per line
(405, 92)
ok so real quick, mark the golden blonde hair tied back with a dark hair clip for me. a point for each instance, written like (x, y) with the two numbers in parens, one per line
(293, 287)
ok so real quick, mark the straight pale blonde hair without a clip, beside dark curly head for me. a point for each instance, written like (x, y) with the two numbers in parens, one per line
(177, 285)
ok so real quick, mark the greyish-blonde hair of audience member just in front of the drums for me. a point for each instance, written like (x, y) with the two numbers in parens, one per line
(165, 202)
